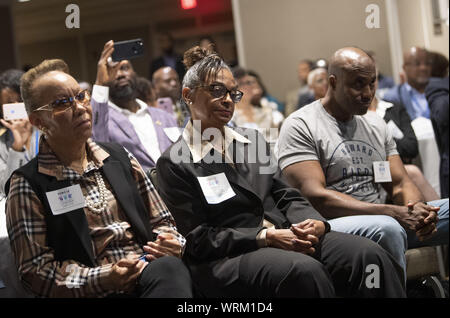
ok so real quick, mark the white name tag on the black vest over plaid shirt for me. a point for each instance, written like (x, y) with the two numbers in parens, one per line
(66, 199)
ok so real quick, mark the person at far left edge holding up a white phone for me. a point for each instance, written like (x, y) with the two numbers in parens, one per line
(19, 141)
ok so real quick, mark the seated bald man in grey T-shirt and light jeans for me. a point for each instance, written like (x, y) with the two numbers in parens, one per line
(339, 157)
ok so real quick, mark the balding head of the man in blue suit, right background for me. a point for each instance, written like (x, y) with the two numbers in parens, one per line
(417, 67)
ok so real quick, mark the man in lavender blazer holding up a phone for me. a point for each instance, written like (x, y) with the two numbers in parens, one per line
(121, 117)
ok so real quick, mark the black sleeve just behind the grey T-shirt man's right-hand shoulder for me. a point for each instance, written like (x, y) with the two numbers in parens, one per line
(407, 146)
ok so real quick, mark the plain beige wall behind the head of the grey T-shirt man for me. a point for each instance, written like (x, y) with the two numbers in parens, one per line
(277, 34)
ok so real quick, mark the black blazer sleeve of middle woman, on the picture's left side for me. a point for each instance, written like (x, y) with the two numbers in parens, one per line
(178, 189)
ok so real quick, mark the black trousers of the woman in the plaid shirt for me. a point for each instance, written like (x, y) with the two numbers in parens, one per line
(165, 277)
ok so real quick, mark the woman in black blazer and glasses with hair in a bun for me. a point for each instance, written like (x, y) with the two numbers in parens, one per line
(248, 233)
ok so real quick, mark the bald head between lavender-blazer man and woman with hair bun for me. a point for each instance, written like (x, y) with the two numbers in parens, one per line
(167, 84)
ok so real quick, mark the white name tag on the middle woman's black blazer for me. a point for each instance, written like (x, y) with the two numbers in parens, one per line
(216, 188)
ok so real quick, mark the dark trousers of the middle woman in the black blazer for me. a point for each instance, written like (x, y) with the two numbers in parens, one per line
(343, 265)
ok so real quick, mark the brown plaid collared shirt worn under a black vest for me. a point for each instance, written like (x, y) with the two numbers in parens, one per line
(110, 231)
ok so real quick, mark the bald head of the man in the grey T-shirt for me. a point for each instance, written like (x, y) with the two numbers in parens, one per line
(352, 76)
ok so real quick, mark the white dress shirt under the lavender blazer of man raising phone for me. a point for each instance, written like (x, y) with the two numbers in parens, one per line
(143, 125)
